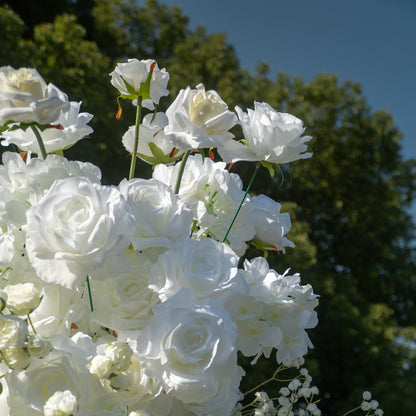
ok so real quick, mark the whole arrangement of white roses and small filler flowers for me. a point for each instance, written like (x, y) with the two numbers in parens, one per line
(131, 299)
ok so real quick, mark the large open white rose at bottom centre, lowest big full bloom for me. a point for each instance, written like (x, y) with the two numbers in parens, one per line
(189, 348)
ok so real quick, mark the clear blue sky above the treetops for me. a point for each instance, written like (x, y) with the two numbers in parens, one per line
(372, 42)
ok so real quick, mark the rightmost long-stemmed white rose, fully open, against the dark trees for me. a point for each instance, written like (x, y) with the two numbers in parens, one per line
(269, 135)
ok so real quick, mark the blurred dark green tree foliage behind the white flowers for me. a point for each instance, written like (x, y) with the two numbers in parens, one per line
(348, 203)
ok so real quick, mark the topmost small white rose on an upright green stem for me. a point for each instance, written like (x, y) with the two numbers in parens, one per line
(134, 73)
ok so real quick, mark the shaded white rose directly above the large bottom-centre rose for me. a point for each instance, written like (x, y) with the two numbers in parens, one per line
(206, 267)
